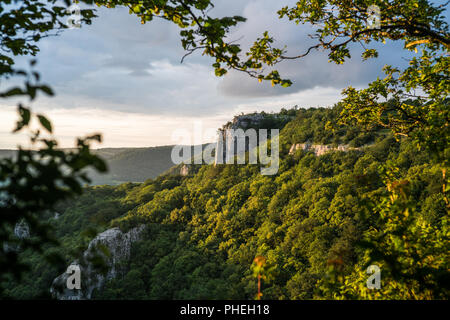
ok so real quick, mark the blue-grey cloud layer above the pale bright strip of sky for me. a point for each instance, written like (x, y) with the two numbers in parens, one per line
(119, 64)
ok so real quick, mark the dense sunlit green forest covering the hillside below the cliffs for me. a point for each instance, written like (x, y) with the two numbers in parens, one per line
(313, 222)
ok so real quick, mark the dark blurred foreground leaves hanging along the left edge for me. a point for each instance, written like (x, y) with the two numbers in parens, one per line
(33, 181)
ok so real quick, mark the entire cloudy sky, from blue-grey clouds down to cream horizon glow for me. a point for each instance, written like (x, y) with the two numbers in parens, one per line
(125, 79)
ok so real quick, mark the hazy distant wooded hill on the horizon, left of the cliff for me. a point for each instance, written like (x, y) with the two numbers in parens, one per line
(127, 164)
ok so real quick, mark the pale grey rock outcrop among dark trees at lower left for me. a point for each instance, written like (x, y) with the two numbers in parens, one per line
(112, 246)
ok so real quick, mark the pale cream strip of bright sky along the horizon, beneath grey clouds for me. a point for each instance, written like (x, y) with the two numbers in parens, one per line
(131, 129)
